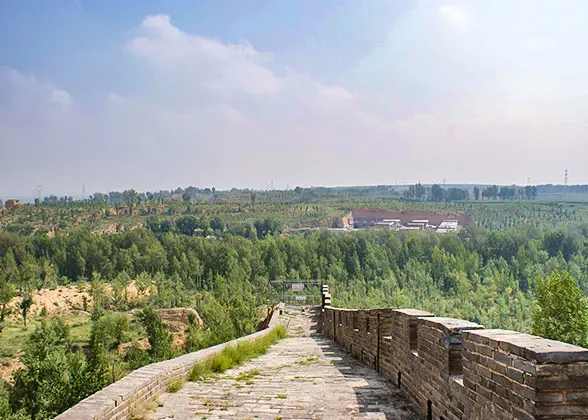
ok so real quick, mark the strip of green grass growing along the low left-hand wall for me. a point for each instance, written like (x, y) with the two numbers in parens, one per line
(235, 355)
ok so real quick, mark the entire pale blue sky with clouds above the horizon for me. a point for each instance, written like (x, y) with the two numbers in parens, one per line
(155, 94)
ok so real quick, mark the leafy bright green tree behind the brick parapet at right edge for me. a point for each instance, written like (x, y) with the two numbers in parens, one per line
(561, 310)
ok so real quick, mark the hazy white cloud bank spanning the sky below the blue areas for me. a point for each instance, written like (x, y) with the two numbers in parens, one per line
(435, 102)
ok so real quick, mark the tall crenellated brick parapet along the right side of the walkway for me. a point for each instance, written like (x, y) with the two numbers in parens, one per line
(455, 369)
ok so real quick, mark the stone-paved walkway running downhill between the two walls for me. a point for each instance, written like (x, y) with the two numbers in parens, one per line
(301, 377)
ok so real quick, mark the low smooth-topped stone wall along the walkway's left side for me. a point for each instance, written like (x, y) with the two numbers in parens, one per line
(120, 400)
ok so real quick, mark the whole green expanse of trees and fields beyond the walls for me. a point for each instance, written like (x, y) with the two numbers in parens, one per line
(221, 259)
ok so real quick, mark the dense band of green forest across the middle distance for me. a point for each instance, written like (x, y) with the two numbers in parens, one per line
(364, 268)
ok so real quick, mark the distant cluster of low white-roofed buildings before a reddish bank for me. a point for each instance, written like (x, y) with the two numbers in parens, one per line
(409, 219)
